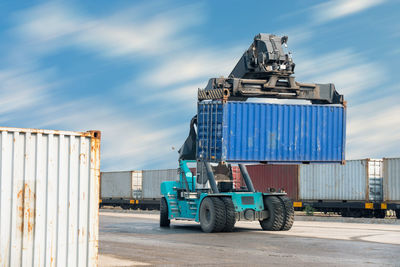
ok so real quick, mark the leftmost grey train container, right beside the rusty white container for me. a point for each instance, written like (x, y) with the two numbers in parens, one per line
(116, 184)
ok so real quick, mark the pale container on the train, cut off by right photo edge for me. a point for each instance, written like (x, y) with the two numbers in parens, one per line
(391, 179)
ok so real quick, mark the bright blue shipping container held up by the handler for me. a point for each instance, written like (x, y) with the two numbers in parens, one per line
(275, 133)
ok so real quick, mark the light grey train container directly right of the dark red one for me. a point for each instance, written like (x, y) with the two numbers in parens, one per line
(334, 181)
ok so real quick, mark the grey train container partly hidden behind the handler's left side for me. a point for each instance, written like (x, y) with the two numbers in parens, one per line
(152, 180)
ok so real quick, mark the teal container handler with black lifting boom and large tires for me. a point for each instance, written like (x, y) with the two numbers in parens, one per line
(264, 71)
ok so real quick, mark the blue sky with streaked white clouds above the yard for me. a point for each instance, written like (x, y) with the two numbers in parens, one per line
(132, 68)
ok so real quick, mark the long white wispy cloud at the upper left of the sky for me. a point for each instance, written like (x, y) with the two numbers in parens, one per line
(51, 26)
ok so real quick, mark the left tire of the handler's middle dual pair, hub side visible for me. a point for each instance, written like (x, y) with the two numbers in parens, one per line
(212, 215)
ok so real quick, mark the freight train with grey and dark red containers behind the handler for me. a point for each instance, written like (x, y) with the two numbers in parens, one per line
(359, 188)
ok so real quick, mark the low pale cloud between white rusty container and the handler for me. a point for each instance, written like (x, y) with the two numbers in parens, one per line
(127, 143)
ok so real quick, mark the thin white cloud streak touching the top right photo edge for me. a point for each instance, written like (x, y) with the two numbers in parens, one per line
(335, 9)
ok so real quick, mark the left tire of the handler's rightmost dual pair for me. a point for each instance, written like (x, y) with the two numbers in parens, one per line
(275, 220)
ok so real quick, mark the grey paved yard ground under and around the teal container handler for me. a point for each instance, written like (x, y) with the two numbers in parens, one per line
(135, 239)
